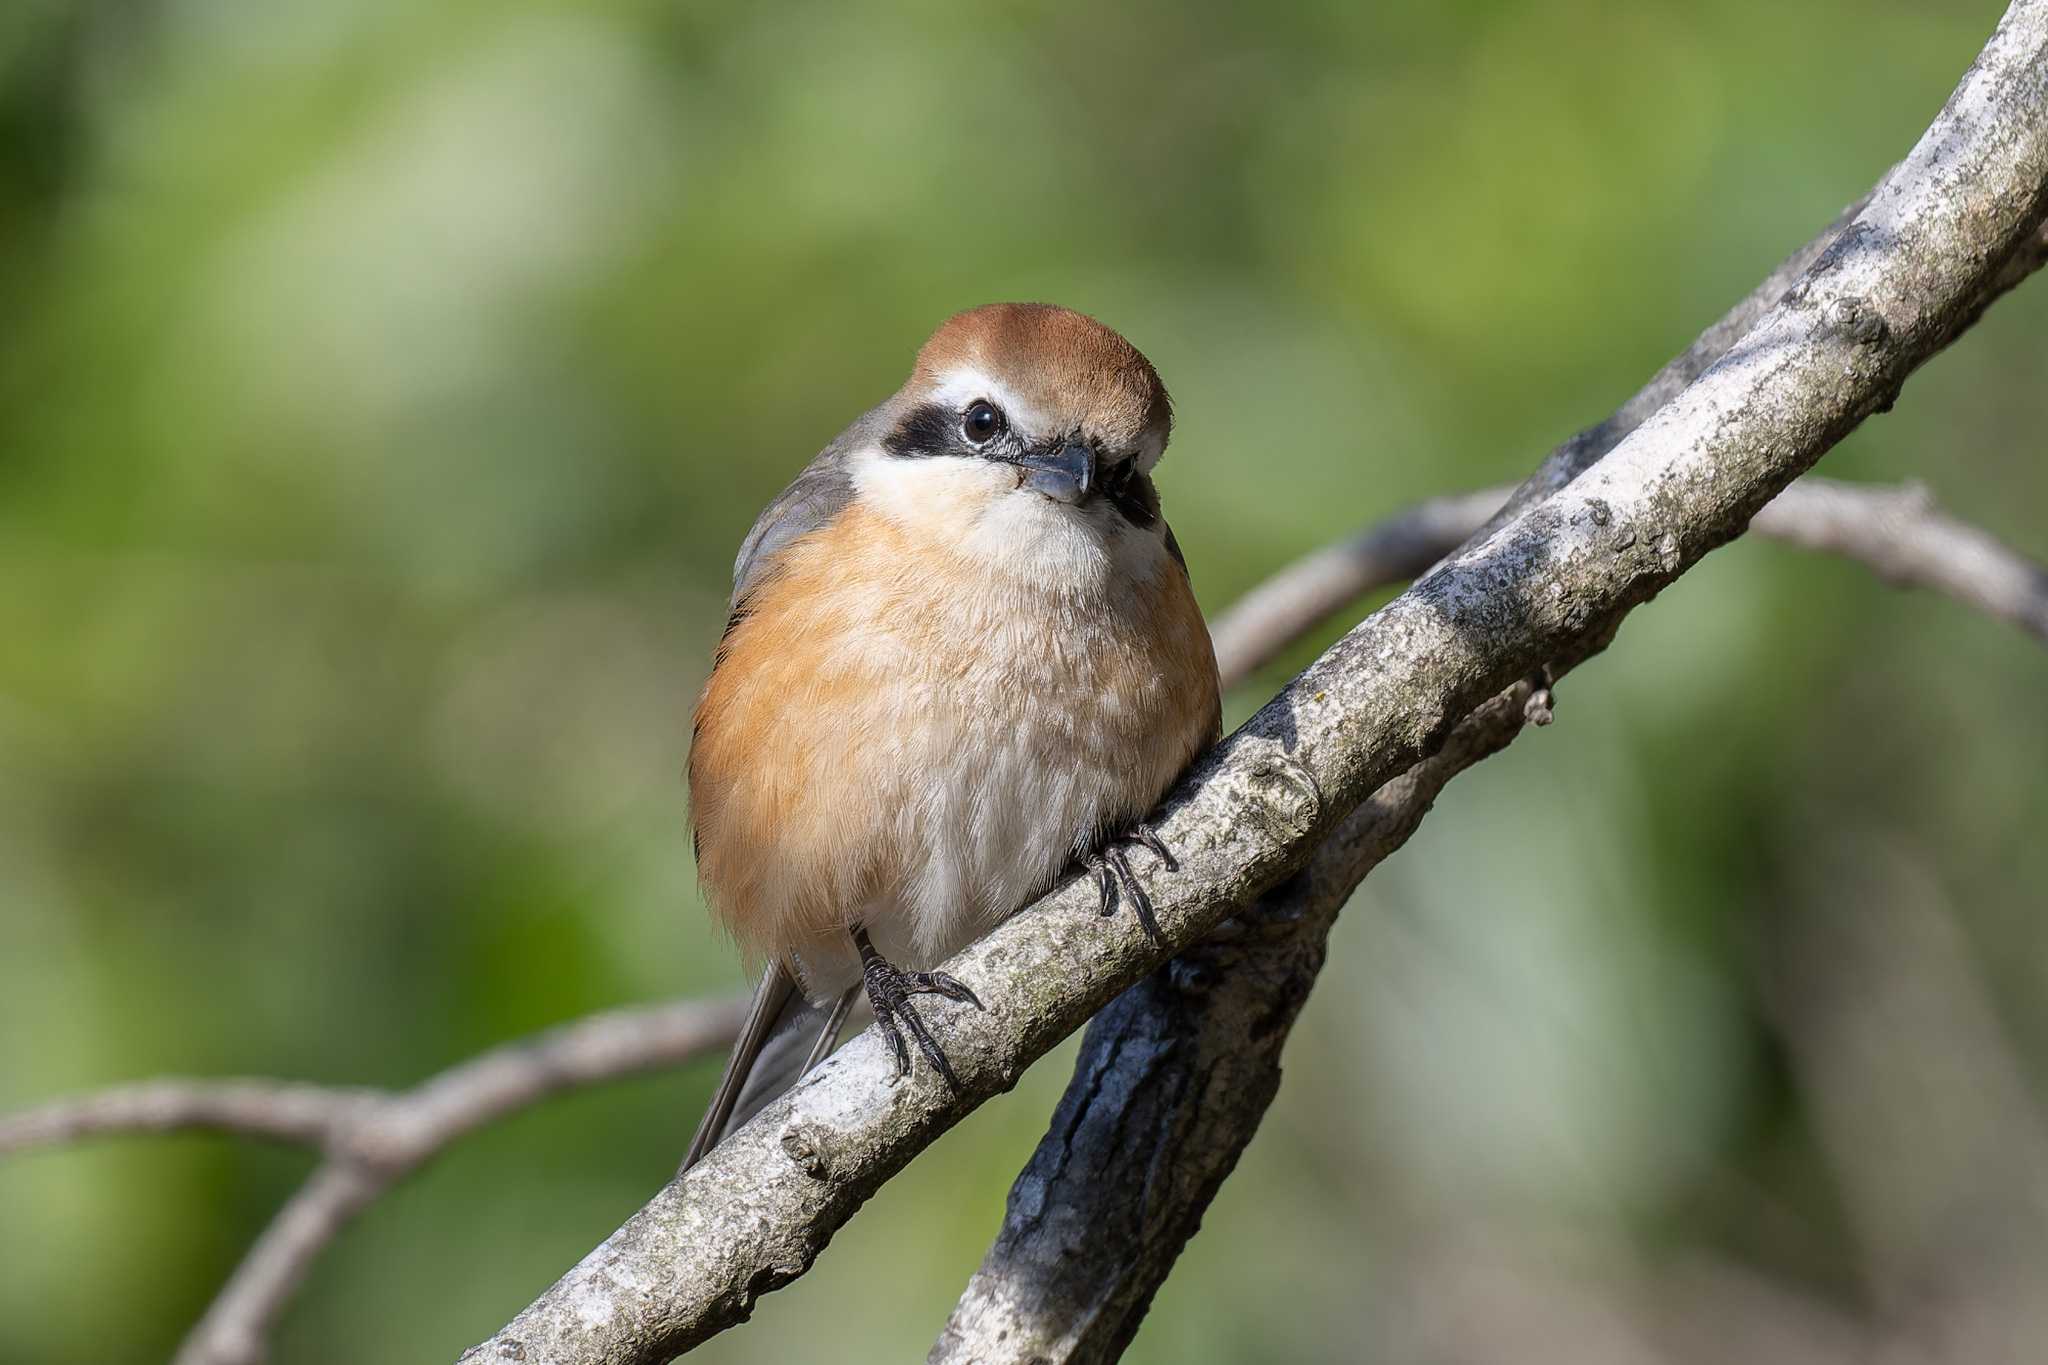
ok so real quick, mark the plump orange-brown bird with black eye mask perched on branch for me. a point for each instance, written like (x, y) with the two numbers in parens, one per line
(964, 658)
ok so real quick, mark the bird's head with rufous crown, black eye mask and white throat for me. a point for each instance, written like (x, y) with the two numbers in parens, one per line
(1027, 435)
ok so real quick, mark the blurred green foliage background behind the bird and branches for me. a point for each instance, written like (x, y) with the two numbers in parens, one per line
(384, 392)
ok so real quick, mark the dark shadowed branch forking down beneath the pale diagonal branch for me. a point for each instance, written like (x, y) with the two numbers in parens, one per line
(1175, 1080)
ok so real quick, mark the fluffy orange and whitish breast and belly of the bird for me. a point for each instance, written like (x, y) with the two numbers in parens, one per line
(892, 736)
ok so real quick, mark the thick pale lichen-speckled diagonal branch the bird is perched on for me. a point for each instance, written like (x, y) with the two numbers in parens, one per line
(1910, 273)
